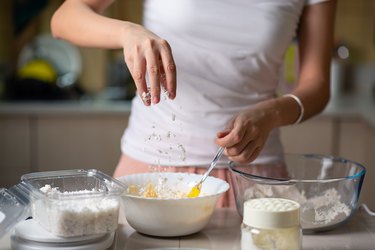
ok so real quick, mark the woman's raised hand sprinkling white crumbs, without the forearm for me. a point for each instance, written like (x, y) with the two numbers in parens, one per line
(146, 53)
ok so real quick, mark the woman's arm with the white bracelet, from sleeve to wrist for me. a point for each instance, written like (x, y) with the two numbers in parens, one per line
(313, 88)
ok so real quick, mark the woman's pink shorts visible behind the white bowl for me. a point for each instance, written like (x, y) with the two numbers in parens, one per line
(127, 166)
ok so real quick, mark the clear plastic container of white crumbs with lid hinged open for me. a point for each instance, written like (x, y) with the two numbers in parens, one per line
(66, 203)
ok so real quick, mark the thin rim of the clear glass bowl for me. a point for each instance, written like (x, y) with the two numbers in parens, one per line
(278, 181)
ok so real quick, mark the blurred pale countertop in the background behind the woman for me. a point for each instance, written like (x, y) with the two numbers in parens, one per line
(360, 103)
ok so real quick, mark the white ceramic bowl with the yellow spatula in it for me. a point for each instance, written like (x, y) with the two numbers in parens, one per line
(169, 217)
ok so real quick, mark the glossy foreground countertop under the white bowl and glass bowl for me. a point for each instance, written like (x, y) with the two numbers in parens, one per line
(223, 233)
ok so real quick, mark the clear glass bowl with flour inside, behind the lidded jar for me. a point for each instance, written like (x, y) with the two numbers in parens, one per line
(326, 187)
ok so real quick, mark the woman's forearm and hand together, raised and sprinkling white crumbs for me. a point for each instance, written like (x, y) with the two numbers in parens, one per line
(80, 22)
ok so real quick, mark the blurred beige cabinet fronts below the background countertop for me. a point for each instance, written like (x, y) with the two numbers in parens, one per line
(43, 142)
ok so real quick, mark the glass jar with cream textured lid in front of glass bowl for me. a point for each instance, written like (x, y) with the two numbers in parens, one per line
(271, 224)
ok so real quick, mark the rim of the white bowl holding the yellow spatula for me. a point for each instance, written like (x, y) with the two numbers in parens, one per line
(225, 188)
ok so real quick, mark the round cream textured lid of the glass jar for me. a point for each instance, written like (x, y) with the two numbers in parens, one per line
(271, 213)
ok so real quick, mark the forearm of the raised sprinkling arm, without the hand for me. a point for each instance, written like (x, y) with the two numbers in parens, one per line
(81, 24)
